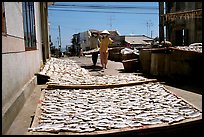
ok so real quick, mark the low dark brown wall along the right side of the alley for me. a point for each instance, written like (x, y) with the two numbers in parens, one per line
(172, 64)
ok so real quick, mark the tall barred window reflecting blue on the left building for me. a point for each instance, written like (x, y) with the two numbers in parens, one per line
(29, 25)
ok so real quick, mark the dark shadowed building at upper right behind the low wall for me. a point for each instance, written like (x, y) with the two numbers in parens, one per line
(183, 21)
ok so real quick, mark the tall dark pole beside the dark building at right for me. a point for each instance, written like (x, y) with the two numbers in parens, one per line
(161, 22)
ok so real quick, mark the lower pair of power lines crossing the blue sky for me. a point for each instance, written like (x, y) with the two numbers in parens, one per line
(94, 11)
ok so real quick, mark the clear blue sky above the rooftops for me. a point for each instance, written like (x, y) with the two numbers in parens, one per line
(140, 18)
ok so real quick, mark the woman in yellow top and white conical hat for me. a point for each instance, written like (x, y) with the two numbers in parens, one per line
(104, 43)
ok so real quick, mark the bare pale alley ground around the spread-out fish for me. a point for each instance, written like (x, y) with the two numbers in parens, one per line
(23, 121)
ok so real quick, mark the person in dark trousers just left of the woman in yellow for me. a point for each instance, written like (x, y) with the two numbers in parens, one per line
(94, 44)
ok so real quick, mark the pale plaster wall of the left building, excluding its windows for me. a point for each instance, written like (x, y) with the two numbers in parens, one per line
(18, 65)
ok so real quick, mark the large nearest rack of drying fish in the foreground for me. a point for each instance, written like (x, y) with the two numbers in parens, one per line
(80, 110)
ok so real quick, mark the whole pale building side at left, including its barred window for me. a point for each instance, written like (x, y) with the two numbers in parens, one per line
(25, 48)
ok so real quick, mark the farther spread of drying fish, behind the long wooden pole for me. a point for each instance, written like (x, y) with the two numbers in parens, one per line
(67, 72)
